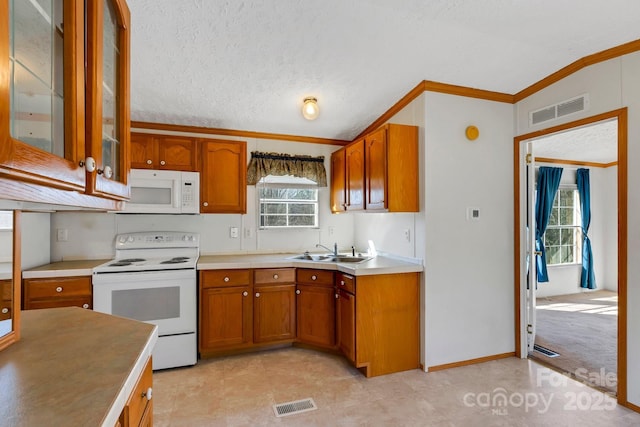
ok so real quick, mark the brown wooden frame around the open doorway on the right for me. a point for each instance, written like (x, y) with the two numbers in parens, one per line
(520, 255)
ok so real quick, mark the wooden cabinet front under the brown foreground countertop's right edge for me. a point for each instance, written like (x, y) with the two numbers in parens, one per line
(138, 411)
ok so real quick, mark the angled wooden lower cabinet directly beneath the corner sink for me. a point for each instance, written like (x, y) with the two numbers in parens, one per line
(316, 307)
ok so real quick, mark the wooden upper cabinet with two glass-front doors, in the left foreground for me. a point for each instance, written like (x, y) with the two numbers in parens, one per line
(53, 118)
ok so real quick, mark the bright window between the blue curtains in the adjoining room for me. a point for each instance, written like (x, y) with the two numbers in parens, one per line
(563, 237)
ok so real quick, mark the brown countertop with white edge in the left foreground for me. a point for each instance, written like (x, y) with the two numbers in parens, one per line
(72, 367)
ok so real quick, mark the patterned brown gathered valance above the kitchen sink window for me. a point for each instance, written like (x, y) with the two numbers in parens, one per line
(264, 164)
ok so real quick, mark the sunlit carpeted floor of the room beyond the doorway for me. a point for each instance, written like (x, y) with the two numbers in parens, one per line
(582, 328)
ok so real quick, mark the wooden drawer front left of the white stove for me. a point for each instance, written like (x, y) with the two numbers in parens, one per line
(57, 292)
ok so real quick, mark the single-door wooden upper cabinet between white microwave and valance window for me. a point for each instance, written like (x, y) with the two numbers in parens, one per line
(223, 176)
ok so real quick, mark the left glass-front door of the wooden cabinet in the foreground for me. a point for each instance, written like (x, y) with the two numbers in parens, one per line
(42, 92)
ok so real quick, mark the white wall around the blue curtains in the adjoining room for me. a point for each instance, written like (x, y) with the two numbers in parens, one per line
(603, 232)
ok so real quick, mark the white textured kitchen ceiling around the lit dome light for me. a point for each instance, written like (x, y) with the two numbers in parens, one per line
(248, 64)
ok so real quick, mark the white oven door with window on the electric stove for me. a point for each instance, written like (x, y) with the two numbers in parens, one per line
(164, 298)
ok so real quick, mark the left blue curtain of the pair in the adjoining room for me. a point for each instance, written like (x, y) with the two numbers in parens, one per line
(548, 183)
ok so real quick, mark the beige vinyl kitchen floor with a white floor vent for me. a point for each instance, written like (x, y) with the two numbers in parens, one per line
(241, 391)
